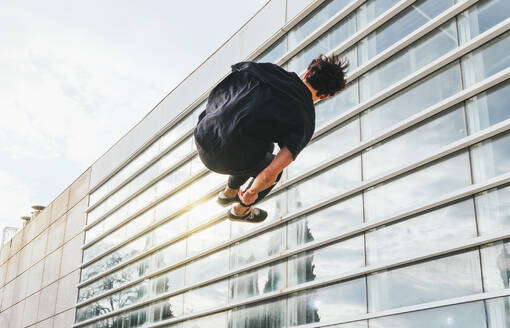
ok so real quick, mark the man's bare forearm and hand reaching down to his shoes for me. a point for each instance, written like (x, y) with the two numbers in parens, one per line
(267, 177)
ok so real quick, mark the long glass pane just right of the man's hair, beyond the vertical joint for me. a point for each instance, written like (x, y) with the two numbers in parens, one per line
(409, 60)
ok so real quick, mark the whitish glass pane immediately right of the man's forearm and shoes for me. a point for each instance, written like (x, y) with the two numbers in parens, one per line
(338, 178)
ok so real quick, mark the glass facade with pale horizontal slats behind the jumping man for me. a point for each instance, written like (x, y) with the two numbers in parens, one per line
(377, 214)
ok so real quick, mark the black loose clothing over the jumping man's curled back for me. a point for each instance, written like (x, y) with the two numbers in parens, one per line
(255, 106)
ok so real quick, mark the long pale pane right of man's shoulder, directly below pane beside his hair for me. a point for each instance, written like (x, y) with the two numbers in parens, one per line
(411, 100)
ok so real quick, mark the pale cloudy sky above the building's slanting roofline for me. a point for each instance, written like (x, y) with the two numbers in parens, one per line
(75, 76)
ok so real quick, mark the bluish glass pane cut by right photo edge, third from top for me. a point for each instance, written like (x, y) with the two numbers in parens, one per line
(489, 107)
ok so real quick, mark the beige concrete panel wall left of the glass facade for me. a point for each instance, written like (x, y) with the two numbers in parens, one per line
(39, 266)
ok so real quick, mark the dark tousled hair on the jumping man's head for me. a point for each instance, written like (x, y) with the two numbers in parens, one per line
(327, 74)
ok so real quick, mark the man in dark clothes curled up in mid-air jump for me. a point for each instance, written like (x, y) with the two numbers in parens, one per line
(254, 107)
